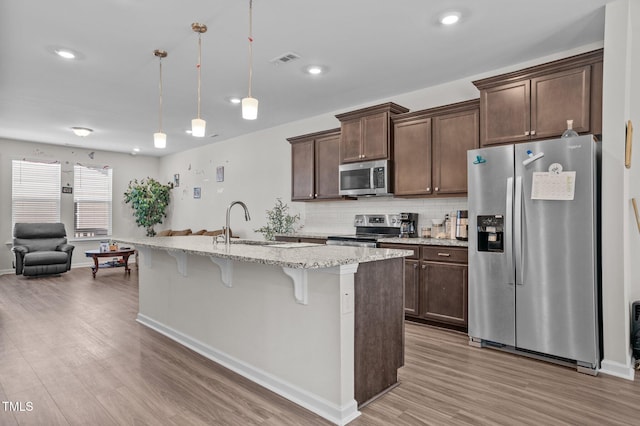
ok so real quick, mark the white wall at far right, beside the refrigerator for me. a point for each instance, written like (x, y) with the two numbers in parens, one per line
(620, 239)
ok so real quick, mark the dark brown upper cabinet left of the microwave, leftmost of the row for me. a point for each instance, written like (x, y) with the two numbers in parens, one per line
(314, 166)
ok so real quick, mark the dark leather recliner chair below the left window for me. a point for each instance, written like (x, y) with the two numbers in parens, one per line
(41, 249)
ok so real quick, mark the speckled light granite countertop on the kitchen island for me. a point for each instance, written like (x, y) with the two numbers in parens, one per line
(291, 255)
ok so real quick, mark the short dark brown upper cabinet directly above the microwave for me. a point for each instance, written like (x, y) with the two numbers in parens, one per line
(366, 134)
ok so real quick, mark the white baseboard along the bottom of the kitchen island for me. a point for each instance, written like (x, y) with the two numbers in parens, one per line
(336, 414)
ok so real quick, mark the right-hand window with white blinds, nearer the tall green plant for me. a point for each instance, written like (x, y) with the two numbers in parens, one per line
(92, 201)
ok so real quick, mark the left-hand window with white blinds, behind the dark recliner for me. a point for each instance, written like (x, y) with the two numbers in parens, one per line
(35, 192)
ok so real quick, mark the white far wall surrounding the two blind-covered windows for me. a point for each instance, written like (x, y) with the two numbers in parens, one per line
(125, 168)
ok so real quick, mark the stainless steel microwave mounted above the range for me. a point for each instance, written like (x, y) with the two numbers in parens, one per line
(367, 178)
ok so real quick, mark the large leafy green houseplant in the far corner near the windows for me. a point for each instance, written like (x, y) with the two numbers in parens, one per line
(149, 200)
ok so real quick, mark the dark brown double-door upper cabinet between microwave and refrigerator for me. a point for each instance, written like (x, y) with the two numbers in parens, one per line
(430, 149)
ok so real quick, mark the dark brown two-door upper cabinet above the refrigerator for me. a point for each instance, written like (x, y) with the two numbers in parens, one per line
(536, 102)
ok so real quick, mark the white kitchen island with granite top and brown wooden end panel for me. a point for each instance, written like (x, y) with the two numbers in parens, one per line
(320, 325)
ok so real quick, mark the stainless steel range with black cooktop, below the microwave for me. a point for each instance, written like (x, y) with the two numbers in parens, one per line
(372, 227)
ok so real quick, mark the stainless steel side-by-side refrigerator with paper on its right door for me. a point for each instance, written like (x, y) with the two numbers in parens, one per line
(533, 249)
